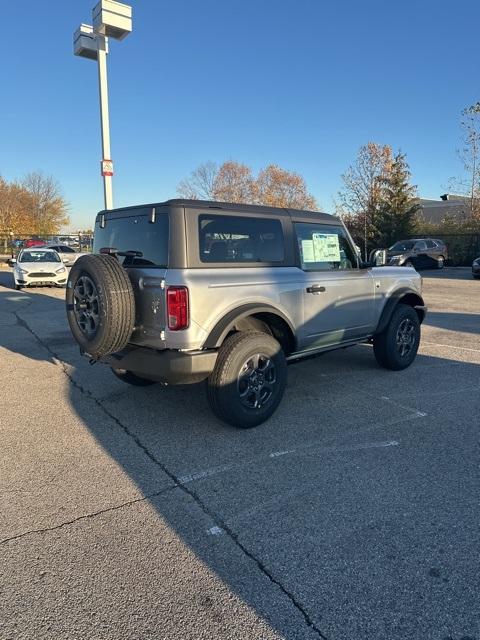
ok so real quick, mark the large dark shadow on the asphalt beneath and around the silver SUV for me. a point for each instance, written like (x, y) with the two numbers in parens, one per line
(348, 552)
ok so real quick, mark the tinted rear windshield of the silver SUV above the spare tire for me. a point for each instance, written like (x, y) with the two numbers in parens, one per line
(135, 233)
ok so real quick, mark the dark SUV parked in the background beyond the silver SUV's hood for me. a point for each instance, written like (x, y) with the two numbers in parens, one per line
(419, 253)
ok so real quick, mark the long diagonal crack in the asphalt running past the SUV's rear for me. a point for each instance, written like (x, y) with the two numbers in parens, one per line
(216, 518)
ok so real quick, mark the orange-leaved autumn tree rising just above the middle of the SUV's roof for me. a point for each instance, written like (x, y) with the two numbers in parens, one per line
(277, 187)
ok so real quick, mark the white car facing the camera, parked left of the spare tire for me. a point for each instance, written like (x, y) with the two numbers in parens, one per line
(39, 267)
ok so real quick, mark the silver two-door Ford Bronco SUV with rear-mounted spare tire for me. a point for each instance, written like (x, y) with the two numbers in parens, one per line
(185, 290)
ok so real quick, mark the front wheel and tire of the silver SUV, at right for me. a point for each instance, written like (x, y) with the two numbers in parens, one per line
(396, 347)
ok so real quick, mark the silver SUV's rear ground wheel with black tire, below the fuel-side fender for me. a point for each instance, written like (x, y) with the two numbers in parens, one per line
(249, 379)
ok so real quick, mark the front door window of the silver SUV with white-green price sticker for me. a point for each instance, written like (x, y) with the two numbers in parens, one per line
(323, 247)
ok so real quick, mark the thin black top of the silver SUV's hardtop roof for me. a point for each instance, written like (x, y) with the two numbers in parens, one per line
(227, 207)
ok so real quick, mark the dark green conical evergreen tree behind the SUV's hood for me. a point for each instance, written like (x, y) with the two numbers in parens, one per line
(399, 203)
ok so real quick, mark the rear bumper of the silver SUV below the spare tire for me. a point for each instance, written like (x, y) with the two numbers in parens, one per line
(167, 366)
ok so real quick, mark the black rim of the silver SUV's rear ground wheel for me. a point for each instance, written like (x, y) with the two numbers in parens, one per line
(256, 381)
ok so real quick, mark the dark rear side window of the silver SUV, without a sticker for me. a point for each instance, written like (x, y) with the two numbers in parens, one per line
(231, 239)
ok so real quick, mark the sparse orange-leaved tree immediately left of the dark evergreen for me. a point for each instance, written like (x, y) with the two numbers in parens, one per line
(363, 187)
